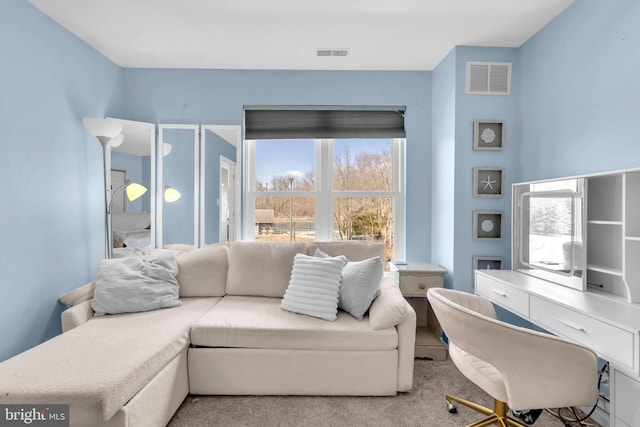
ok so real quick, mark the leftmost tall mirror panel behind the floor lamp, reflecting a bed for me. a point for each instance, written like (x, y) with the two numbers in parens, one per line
(133, 222)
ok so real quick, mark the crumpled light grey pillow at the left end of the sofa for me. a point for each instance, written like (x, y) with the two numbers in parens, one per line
(126, 285)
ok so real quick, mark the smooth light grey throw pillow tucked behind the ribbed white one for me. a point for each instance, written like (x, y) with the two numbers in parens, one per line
(360, 283)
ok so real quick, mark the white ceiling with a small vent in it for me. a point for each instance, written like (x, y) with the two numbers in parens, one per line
(284, 34)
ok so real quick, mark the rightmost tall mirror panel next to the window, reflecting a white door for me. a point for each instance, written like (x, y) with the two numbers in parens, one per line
(218, 187)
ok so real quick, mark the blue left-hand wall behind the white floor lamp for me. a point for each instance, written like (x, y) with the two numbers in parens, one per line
(52, 209)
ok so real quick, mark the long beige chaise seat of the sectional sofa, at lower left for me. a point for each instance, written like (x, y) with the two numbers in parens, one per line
(99, 366)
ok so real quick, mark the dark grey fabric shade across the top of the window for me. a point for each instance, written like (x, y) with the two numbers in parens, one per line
(317, 122)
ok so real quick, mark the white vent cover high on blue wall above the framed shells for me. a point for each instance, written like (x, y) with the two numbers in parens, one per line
(488, 78)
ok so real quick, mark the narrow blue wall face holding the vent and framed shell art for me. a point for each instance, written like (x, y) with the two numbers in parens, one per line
(468, 109)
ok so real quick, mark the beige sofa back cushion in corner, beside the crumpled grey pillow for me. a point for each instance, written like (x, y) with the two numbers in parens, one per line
(203, 272)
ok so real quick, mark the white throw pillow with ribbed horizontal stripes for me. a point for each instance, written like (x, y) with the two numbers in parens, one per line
(314, 286)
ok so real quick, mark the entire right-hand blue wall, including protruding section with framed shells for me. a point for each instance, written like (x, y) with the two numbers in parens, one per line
(573, 109)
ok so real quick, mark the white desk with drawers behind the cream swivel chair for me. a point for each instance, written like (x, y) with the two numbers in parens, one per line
(607, 324)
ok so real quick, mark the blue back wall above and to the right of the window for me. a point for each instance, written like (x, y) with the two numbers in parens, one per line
(218, 97)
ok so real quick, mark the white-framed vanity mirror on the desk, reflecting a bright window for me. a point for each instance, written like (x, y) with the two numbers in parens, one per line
(549, 230)
